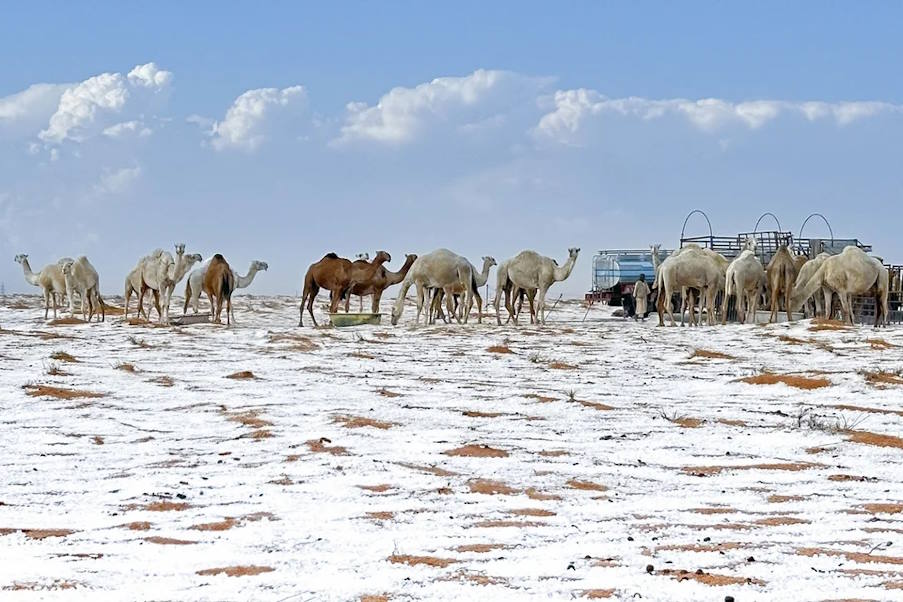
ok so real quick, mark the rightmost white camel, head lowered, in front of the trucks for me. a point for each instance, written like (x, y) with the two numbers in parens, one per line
(850, 273)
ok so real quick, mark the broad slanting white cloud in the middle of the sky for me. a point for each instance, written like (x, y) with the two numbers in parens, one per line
(403, 113)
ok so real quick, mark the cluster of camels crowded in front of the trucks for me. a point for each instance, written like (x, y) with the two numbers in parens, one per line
(789, 280)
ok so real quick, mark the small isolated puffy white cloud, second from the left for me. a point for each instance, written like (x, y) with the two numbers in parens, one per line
(247, 121)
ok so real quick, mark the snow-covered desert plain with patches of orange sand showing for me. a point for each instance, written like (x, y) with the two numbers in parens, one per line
(599, 458)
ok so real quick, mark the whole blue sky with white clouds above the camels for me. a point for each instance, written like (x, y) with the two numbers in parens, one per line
(487, 128)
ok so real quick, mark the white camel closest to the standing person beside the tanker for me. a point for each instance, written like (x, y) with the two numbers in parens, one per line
(686, 268)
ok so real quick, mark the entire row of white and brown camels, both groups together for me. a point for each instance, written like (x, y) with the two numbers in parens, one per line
(789, 281)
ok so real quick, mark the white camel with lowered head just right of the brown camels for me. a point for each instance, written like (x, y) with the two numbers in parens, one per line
(439, 269)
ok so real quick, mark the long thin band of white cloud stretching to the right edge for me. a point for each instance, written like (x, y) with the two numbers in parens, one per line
(571, 109)
